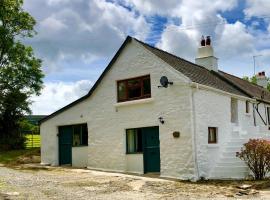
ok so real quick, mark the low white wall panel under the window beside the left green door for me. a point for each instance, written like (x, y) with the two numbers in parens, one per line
(79, 156)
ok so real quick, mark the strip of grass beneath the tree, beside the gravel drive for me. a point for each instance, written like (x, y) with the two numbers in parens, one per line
(14, 156)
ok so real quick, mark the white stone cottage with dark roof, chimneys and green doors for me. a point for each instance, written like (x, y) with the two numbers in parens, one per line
(187, 128)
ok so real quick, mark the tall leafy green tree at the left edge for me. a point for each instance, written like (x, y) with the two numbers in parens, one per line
(20, 71)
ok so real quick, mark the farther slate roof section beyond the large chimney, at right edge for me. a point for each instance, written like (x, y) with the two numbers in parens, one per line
(251, 89)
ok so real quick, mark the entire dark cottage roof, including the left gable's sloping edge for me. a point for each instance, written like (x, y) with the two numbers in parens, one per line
(196, 73)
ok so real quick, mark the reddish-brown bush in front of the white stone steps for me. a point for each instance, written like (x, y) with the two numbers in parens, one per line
(256, 154)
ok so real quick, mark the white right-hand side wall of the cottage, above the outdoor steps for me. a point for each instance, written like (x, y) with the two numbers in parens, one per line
(214, 110)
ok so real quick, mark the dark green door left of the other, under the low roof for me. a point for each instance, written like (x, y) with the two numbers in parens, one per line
(65, 145)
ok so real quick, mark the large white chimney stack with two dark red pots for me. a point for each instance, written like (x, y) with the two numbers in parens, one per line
(205, 56)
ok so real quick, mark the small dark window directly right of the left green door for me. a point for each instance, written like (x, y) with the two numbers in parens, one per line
(80, 135)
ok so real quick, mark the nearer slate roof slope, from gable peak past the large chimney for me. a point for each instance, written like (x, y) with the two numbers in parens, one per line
(195, 73)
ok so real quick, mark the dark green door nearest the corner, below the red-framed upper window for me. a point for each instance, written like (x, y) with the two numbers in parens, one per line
(151, 152)
